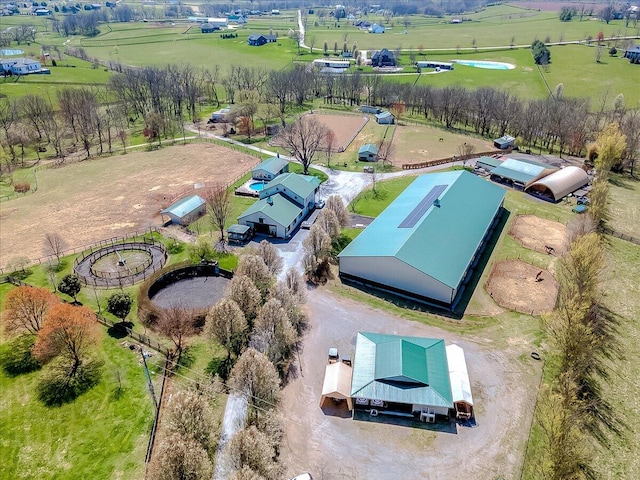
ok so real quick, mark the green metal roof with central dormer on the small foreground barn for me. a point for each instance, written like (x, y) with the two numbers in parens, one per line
(401, 369)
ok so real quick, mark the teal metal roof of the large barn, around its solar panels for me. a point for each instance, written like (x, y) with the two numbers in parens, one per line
(443, 241)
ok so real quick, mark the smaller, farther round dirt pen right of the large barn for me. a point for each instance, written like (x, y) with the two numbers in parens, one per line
(537, 234)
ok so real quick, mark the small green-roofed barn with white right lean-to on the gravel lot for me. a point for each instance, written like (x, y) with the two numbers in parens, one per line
(405, 375)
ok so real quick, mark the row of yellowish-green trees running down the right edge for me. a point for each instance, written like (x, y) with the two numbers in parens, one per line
(572, 413)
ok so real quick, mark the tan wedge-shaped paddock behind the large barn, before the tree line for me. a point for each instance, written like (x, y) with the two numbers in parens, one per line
(416, 144)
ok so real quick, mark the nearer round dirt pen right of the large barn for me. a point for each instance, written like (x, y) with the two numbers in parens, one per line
(512, 284)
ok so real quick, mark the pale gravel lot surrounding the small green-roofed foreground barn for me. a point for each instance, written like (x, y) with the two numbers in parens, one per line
(333, 447)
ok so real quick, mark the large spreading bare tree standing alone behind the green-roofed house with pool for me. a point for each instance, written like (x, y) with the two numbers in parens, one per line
(304, 138)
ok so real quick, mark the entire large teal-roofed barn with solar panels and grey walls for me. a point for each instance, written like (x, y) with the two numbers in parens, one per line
(425, 244)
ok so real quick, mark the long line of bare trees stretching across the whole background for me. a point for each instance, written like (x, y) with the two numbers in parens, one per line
(164, 98)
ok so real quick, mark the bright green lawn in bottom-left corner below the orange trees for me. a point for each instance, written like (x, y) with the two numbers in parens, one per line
(102, 435)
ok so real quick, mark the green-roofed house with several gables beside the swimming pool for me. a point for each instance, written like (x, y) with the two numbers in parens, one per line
(284, 203)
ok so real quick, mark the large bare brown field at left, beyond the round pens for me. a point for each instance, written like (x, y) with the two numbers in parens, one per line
(97, 199)
